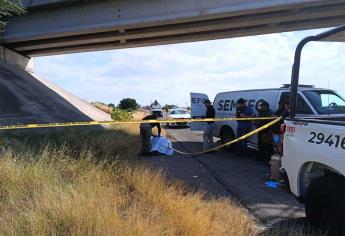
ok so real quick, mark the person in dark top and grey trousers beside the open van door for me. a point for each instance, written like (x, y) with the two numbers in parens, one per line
(208, 129)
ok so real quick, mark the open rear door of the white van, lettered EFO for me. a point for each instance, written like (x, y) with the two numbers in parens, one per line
(198, 110)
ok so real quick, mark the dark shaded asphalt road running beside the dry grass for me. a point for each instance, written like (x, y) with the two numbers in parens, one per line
(223, 174)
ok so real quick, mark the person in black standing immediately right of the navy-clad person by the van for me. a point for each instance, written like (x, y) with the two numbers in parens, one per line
(265, 138)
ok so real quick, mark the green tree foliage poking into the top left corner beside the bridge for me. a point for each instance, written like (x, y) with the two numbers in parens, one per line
(9, 8)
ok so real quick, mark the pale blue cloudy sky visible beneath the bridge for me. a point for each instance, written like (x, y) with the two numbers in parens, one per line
(169, 73)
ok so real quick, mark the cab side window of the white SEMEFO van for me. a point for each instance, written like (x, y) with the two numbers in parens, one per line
(325, 101)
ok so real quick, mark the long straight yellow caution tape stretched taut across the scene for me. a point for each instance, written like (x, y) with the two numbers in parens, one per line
(89, 123)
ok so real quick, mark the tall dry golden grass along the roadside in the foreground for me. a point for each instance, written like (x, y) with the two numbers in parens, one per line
(89, 183)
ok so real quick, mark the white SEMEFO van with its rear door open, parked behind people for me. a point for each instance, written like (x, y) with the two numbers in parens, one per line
(311, 101)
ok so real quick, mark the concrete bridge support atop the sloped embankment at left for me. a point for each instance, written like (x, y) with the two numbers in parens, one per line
(11, 57)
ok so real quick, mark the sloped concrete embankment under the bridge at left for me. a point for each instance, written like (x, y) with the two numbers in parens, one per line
(25, 98)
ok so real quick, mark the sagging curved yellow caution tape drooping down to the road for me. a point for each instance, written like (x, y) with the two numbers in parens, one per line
(233, 141)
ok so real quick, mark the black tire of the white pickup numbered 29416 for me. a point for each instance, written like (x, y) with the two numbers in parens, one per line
(325, 204)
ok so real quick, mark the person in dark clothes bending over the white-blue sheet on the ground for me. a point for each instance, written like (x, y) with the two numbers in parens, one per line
(146, 133)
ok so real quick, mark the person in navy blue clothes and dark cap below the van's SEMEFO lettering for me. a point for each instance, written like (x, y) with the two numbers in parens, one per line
(243, 126)
